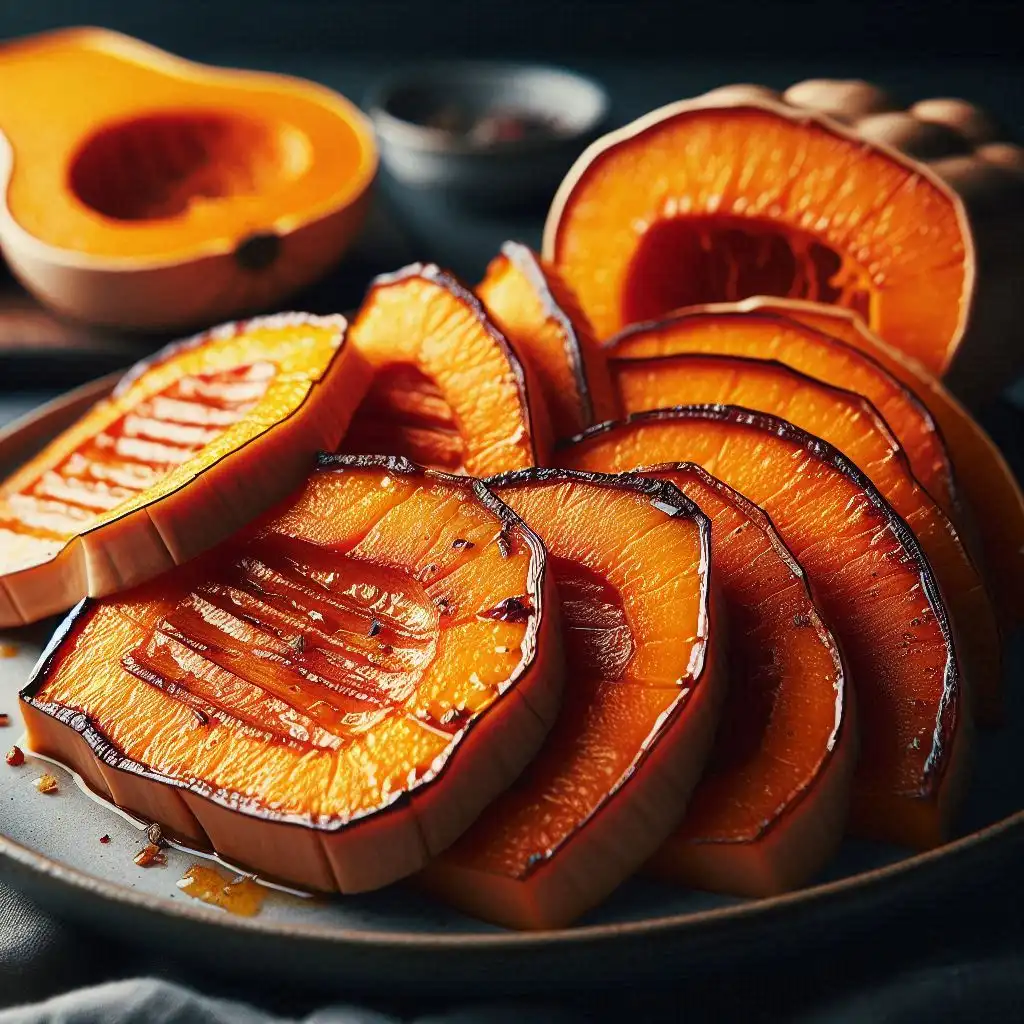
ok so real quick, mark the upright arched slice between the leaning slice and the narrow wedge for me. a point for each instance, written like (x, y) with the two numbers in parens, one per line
(449, 391)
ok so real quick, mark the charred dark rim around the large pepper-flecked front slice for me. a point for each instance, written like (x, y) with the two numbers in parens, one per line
(107, 752)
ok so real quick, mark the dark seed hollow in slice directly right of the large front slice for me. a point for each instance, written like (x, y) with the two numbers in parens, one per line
(596, 634)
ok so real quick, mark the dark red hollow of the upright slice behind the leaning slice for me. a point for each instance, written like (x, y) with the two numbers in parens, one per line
(406, 413)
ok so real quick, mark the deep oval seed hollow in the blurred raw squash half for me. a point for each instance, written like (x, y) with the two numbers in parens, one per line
(162, 165)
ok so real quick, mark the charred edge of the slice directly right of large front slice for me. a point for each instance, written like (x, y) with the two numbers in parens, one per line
(668, 499)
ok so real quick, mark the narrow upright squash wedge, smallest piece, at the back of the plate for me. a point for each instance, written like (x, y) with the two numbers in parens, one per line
(536, 311)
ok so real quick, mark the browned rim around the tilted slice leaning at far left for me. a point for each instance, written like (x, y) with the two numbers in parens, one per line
(226, 331)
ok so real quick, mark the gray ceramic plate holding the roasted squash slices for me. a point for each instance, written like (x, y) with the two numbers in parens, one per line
(397, 940)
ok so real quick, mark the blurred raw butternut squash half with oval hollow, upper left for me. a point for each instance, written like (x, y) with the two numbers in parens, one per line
(169, 194)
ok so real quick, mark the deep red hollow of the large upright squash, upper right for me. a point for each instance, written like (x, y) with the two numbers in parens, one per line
(688, 262)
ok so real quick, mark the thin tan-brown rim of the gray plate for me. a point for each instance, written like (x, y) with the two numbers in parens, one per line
(55, 872)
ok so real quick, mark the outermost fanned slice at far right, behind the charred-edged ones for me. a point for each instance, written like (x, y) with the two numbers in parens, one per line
(988, 484)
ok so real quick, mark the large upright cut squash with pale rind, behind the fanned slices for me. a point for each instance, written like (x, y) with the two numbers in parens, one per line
(717, 199)
